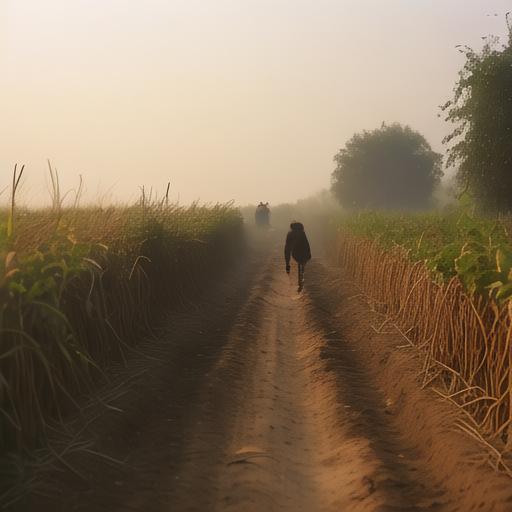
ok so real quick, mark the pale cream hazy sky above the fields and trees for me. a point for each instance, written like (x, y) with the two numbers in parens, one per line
(227, 99)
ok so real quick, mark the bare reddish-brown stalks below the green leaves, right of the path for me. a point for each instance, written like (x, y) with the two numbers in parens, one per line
(467, 339)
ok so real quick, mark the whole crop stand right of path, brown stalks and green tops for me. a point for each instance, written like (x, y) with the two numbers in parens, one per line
(413, 274)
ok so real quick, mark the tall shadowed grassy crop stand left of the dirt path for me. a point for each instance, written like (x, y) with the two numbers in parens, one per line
(80, 286)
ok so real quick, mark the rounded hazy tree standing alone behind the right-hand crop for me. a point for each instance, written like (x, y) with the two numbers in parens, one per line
(391, 167)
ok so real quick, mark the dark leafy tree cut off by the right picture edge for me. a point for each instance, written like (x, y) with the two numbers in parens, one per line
(481, 143)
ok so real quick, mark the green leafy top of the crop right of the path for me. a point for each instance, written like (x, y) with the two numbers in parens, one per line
(475, 249)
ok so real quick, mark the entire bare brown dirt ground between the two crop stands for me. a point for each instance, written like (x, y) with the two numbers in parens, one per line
(262, 399)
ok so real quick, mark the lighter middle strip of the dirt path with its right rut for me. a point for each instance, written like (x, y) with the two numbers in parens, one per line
(294, 442)
